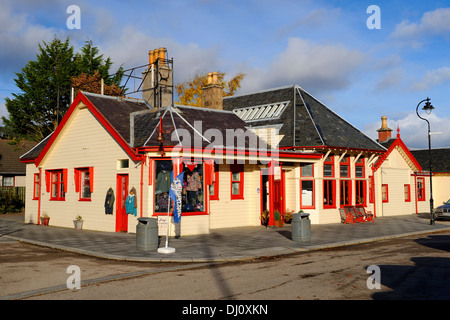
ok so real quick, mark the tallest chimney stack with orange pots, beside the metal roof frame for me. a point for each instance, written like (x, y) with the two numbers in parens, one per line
(157, 83)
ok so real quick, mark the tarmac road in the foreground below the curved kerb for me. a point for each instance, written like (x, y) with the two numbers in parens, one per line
(414, 267)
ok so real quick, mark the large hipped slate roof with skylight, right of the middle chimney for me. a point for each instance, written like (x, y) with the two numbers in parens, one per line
(305, 122)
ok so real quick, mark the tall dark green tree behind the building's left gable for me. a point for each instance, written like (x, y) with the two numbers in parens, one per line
(46, 87)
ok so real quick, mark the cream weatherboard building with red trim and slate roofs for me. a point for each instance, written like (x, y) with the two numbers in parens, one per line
(276, 150)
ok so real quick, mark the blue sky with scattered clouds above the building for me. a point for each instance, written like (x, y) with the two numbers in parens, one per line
(323, 46)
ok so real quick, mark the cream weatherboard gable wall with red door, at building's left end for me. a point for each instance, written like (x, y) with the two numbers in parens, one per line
(84, 142)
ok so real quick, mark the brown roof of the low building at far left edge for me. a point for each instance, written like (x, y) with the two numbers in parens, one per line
(10, 154)
